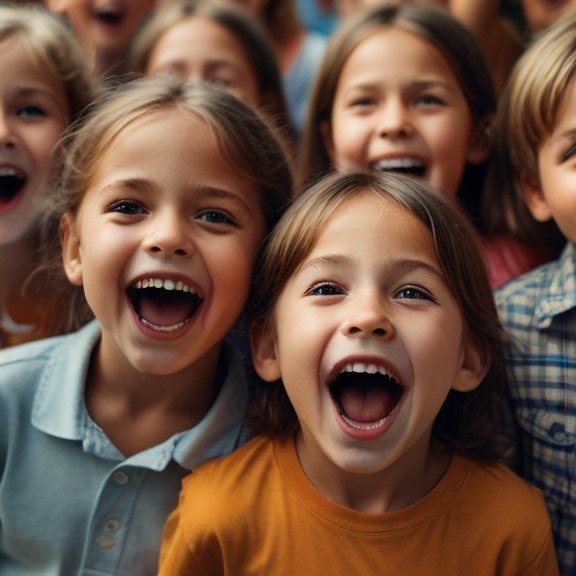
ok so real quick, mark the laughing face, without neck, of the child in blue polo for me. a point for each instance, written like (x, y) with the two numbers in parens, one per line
(164, 244)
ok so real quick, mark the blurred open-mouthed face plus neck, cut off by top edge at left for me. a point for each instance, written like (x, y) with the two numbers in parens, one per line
(105, 30)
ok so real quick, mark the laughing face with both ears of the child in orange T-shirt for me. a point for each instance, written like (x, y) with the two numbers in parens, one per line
(368, 341)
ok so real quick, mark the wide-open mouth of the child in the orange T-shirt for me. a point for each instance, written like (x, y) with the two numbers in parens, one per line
(365, 395)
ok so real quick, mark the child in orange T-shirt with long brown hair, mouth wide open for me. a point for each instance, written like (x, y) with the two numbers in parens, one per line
(379, 455)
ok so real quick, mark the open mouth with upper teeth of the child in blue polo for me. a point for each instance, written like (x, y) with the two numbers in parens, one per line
(163, 305)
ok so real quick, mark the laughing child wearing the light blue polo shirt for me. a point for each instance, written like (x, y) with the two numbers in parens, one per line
(167, 193)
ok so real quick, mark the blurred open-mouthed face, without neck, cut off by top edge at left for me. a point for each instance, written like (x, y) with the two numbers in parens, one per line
(106, 25)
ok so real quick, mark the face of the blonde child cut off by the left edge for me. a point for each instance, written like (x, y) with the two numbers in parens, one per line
(33, 115)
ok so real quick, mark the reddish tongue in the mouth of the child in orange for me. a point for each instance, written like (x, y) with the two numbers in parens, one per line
(366, 404)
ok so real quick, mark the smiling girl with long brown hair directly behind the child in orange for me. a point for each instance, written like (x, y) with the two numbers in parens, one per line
(404, 88)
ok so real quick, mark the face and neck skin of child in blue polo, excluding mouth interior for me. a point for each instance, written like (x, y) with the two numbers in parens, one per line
(162, 204)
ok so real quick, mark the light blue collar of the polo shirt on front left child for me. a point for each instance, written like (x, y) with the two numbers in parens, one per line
(60, 410)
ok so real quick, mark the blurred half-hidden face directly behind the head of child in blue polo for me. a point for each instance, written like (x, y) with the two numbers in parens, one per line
(199, 48)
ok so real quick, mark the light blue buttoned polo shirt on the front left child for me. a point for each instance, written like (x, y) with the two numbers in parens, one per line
(70, 502)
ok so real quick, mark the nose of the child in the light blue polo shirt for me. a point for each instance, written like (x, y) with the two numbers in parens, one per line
(169, 234)
